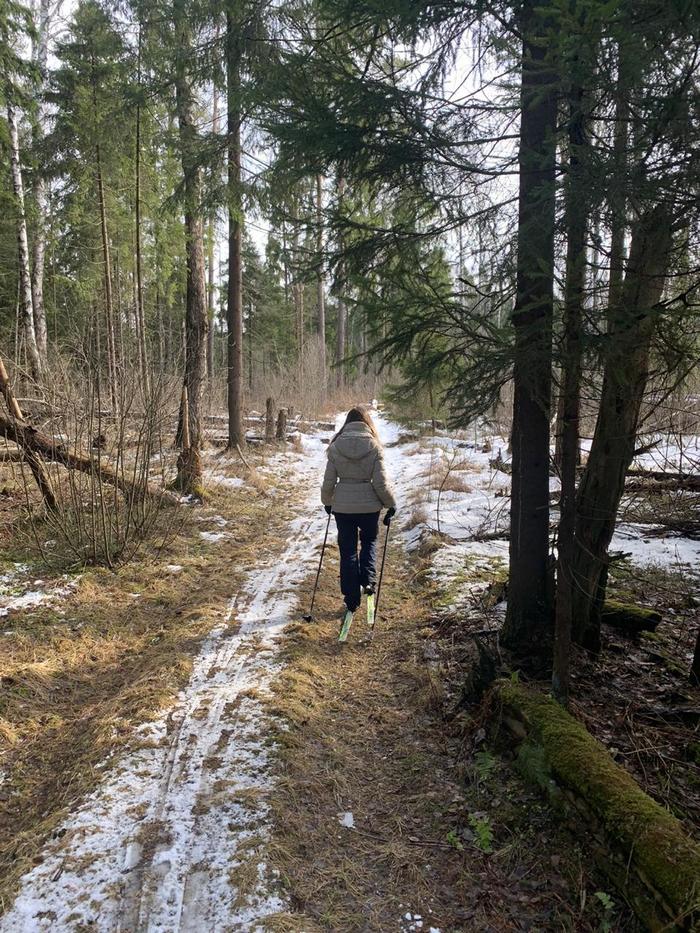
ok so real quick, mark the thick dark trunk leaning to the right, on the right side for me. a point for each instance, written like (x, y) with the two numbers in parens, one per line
(631, 328)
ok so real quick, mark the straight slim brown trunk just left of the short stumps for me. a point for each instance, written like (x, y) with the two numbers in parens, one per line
(236, 433)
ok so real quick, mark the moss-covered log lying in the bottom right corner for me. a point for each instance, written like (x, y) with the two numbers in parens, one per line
(642, 847)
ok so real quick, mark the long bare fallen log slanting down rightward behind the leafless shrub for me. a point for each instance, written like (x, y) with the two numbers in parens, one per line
(42, 445)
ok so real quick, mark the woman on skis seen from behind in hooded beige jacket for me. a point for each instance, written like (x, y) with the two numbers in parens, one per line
(355, 489)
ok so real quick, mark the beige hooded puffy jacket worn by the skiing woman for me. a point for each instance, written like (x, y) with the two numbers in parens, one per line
(355, 480)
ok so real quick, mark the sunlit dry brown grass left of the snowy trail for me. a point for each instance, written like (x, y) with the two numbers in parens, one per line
(78, 677)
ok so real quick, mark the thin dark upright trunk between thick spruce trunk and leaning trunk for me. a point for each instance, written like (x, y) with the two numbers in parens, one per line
(577, 210)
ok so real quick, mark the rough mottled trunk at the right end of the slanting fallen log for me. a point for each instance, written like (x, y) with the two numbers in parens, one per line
(196, 320)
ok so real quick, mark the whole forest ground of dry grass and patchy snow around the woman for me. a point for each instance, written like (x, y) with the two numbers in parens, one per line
(180, 751)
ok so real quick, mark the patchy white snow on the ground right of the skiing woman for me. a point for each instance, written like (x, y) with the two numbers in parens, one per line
(473, 514)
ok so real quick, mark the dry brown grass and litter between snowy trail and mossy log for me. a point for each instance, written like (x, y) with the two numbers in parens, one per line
(366, 733)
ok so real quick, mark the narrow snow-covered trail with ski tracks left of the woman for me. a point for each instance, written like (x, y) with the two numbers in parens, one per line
(173, 838)
